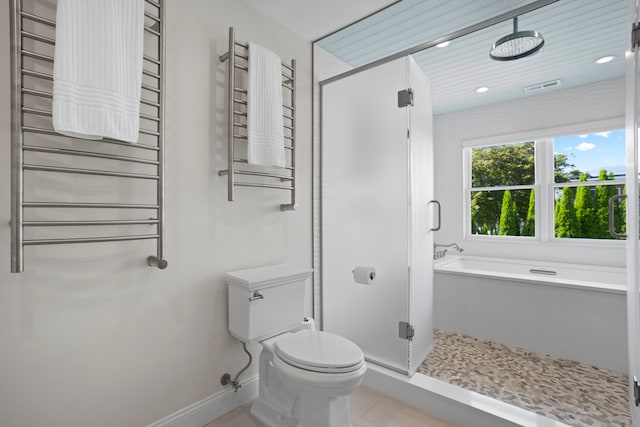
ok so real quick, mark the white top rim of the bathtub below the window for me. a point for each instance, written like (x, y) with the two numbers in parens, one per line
(588, 277)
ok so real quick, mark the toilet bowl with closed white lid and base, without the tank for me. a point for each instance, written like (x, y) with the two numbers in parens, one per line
(306, 378)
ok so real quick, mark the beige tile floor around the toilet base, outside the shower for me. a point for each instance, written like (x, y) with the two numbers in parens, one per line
(369, 408)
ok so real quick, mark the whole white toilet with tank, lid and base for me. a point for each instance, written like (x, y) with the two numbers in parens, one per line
(305, 376)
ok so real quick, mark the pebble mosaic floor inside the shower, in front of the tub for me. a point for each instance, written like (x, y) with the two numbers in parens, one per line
(573, 393)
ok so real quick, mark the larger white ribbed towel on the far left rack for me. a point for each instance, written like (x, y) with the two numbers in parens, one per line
(97, 71)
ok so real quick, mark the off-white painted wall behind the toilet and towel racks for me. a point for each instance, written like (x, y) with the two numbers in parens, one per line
(92, 336)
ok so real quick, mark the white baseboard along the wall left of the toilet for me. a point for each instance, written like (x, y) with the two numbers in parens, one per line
(210, 408)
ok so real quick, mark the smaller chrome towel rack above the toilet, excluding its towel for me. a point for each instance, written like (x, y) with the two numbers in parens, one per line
(237, 120)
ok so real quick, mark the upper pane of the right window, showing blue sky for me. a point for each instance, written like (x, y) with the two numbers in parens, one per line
(594, 156)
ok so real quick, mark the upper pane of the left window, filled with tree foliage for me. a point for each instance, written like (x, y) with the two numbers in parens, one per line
(503, 165)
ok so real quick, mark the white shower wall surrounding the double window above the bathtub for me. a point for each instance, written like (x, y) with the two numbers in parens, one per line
(586, 104)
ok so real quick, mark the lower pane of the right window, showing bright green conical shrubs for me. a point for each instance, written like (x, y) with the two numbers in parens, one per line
(583, 212)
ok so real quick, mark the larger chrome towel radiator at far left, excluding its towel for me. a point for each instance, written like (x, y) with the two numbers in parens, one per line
(45, 163)
